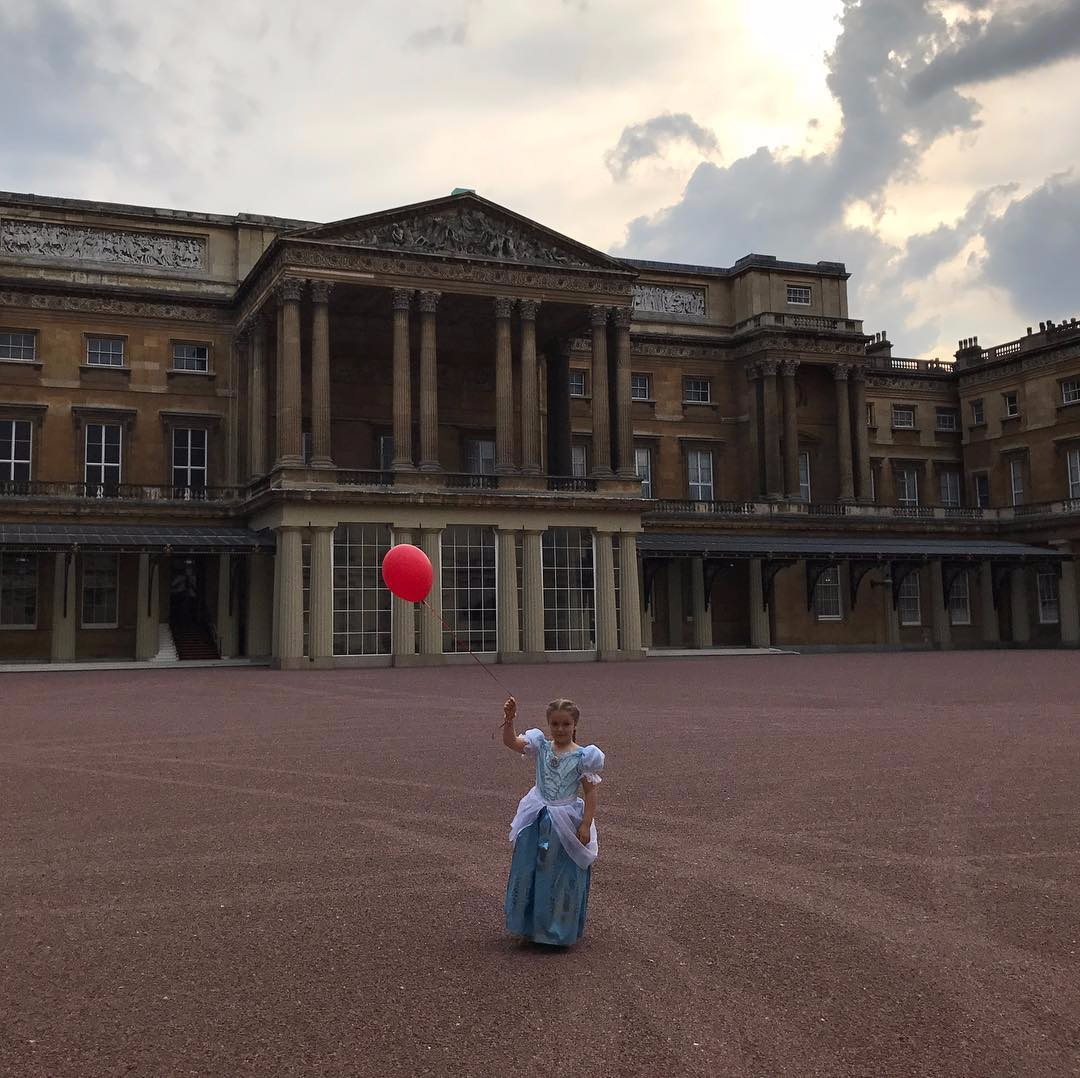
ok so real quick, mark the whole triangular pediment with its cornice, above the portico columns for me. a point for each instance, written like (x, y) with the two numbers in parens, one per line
(463, 226)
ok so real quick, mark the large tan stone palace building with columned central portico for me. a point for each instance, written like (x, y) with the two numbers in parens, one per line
(212, 429)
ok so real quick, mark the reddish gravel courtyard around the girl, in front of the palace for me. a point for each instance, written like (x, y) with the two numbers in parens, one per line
(811, 866)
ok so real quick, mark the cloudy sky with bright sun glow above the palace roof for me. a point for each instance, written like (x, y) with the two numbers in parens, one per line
(934, 146)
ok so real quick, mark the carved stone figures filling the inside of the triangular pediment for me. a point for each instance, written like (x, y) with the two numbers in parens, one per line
(466, 232)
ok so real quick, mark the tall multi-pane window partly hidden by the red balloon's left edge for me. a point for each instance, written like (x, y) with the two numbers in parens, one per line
(361, 599)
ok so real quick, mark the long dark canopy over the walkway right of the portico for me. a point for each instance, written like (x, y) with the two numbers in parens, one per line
(852, 548)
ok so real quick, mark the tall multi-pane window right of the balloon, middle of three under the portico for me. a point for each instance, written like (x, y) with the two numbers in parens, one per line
(470, 603)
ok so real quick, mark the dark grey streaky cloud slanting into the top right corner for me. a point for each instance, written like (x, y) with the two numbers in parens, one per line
(1010, 43)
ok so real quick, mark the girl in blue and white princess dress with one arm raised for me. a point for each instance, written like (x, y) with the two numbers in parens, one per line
(553, 833)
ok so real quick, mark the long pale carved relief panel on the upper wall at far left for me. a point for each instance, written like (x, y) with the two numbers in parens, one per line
(40, 239)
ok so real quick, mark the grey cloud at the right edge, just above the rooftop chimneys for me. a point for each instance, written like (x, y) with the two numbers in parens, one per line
(1032, 250)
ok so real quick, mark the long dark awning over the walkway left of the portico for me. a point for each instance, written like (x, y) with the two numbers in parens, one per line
(134, 538)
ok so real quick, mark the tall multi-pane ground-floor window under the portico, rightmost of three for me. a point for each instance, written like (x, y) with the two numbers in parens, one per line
(570, 600)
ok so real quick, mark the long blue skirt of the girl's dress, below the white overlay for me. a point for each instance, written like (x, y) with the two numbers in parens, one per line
(547, 894)
